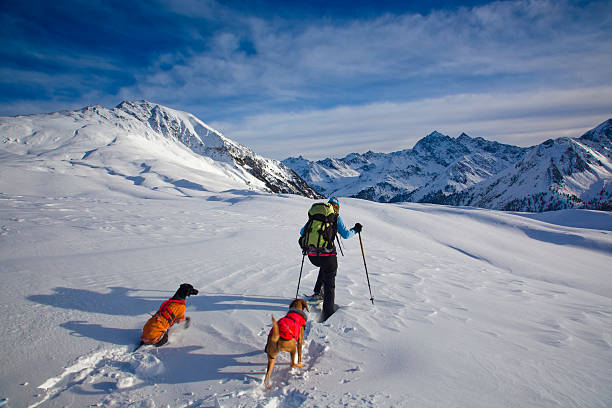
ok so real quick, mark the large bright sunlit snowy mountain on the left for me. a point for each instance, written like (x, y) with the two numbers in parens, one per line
(145, 144)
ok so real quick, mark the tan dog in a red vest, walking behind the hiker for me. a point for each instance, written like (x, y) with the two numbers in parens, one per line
(287, 335)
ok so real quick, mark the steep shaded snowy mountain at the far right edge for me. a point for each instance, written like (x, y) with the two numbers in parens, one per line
(557, 174)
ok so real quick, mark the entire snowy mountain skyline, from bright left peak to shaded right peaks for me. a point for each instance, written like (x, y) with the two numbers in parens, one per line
(151, 146)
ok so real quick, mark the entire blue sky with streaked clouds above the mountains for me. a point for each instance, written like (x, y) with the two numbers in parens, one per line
(320, 78)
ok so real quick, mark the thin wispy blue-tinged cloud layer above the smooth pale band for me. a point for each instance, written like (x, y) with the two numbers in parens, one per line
(270, 65)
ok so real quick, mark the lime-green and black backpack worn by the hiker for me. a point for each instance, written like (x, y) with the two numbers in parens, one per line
(320, 230)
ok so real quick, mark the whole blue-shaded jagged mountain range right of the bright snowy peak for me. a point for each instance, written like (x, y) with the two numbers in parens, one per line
(466, 171)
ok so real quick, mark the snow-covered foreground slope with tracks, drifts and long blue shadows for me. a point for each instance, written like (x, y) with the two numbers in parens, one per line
(452, 324)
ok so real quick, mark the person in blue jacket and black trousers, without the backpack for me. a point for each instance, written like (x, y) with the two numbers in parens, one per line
(328, 263)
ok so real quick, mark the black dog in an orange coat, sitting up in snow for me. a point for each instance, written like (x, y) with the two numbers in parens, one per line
(172, 311)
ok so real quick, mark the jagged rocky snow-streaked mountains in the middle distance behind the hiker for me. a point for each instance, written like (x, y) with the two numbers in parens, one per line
(436, 163)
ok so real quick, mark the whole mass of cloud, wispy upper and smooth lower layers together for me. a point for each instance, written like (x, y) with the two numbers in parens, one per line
(513, 71)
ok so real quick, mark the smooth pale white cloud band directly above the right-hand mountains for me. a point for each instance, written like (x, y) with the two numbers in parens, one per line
(523, 119)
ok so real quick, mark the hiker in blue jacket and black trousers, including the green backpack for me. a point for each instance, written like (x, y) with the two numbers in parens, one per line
(317, 240)
